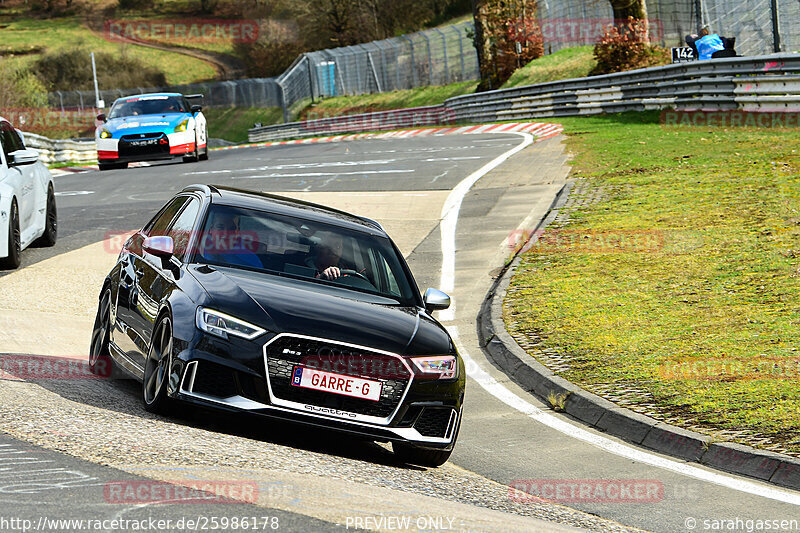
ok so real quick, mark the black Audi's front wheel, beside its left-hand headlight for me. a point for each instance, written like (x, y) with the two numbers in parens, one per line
(158, 368)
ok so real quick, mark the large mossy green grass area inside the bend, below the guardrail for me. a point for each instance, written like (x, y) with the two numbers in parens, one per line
(703, 310)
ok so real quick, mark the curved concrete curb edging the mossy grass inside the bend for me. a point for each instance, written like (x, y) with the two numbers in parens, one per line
(608, 417)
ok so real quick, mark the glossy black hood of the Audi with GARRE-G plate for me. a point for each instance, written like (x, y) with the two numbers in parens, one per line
(286, 305)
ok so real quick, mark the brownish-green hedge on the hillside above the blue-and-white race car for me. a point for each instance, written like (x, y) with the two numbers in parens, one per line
(71, 70)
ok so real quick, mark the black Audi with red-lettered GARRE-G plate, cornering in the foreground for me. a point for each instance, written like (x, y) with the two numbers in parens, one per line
(258, 303)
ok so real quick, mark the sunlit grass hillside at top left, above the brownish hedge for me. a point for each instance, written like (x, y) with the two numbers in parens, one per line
(59, 33)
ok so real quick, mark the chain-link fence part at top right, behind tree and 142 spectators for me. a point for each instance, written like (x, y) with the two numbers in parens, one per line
(567, 23)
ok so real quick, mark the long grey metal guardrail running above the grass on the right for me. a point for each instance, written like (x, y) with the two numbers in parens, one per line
(762, 83)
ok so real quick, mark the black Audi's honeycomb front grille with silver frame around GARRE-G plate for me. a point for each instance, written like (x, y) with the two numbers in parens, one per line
(288, 352)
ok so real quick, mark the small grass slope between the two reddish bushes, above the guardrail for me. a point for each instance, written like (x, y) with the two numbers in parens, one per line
(562, 65)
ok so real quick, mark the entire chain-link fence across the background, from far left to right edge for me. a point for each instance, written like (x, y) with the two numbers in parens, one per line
(445, 55)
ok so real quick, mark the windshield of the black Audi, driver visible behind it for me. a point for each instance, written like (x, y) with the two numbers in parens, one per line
(316, 252)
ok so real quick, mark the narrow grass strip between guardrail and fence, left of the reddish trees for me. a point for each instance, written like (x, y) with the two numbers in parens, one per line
(421, 96)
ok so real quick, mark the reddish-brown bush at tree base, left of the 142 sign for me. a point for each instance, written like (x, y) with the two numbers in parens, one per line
(626, 47)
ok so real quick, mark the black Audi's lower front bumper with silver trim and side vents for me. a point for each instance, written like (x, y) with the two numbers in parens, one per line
(427, 415)
